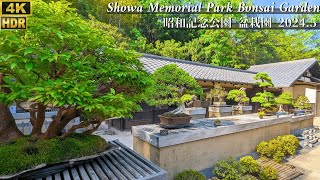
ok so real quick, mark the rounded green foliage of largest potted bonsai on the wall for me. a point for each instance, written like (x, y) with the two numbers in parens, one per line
(172, 86)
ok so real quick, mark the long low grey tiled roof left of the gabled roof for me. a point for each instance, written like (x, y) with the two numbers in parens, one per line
(200, 71)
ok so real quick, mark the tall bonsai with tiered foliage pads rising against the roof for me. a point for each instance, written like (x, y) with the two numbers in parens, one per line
(265, 98)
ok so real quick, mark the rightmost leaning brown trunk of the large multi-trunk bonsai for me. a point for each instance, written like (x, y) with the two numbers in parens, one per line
(60, 121)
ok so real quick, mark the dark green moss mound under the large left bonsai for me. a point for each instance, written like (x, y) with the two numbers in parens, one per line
(28, 152)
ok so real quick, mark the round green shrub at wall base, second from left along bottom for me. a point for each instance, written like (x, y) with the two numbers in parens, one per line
(228, 169)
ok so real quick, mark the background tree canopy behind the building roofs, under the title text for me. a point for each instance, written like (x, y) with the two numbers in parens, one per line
(232, 48)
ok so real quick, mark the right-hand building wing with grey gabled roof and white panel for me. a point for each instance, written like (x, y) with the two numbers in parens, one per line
(300, 77)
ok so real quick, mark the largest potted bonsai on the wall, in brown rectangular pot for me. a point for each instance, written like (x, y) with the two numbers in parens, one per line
(173, 86)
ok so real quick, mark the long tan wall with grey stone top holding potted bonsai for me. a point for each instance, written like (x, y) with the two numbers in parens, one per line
(200, 149)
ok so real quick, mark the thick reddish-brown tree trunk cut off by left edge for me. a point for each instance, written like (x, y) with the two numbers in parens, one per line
(8, 128)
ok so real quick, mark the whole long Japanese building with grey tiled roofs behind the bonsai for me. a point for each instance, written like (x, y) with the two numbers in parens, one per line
(300, 77)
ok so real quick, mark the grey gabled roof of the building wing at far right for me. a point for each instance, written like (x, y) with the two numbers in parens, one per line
(284, 74)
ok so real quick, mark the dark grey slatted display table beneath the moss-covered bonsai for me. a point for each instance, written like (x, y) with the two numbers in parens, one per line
(120, 163)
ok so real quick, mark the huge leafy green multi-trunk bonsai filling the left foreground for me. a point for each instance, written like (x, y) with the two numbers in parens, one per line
(65, 62)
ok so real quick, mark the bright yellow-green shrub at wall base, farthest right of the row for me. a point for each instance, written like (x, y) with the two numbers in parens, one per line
(279, 147)
